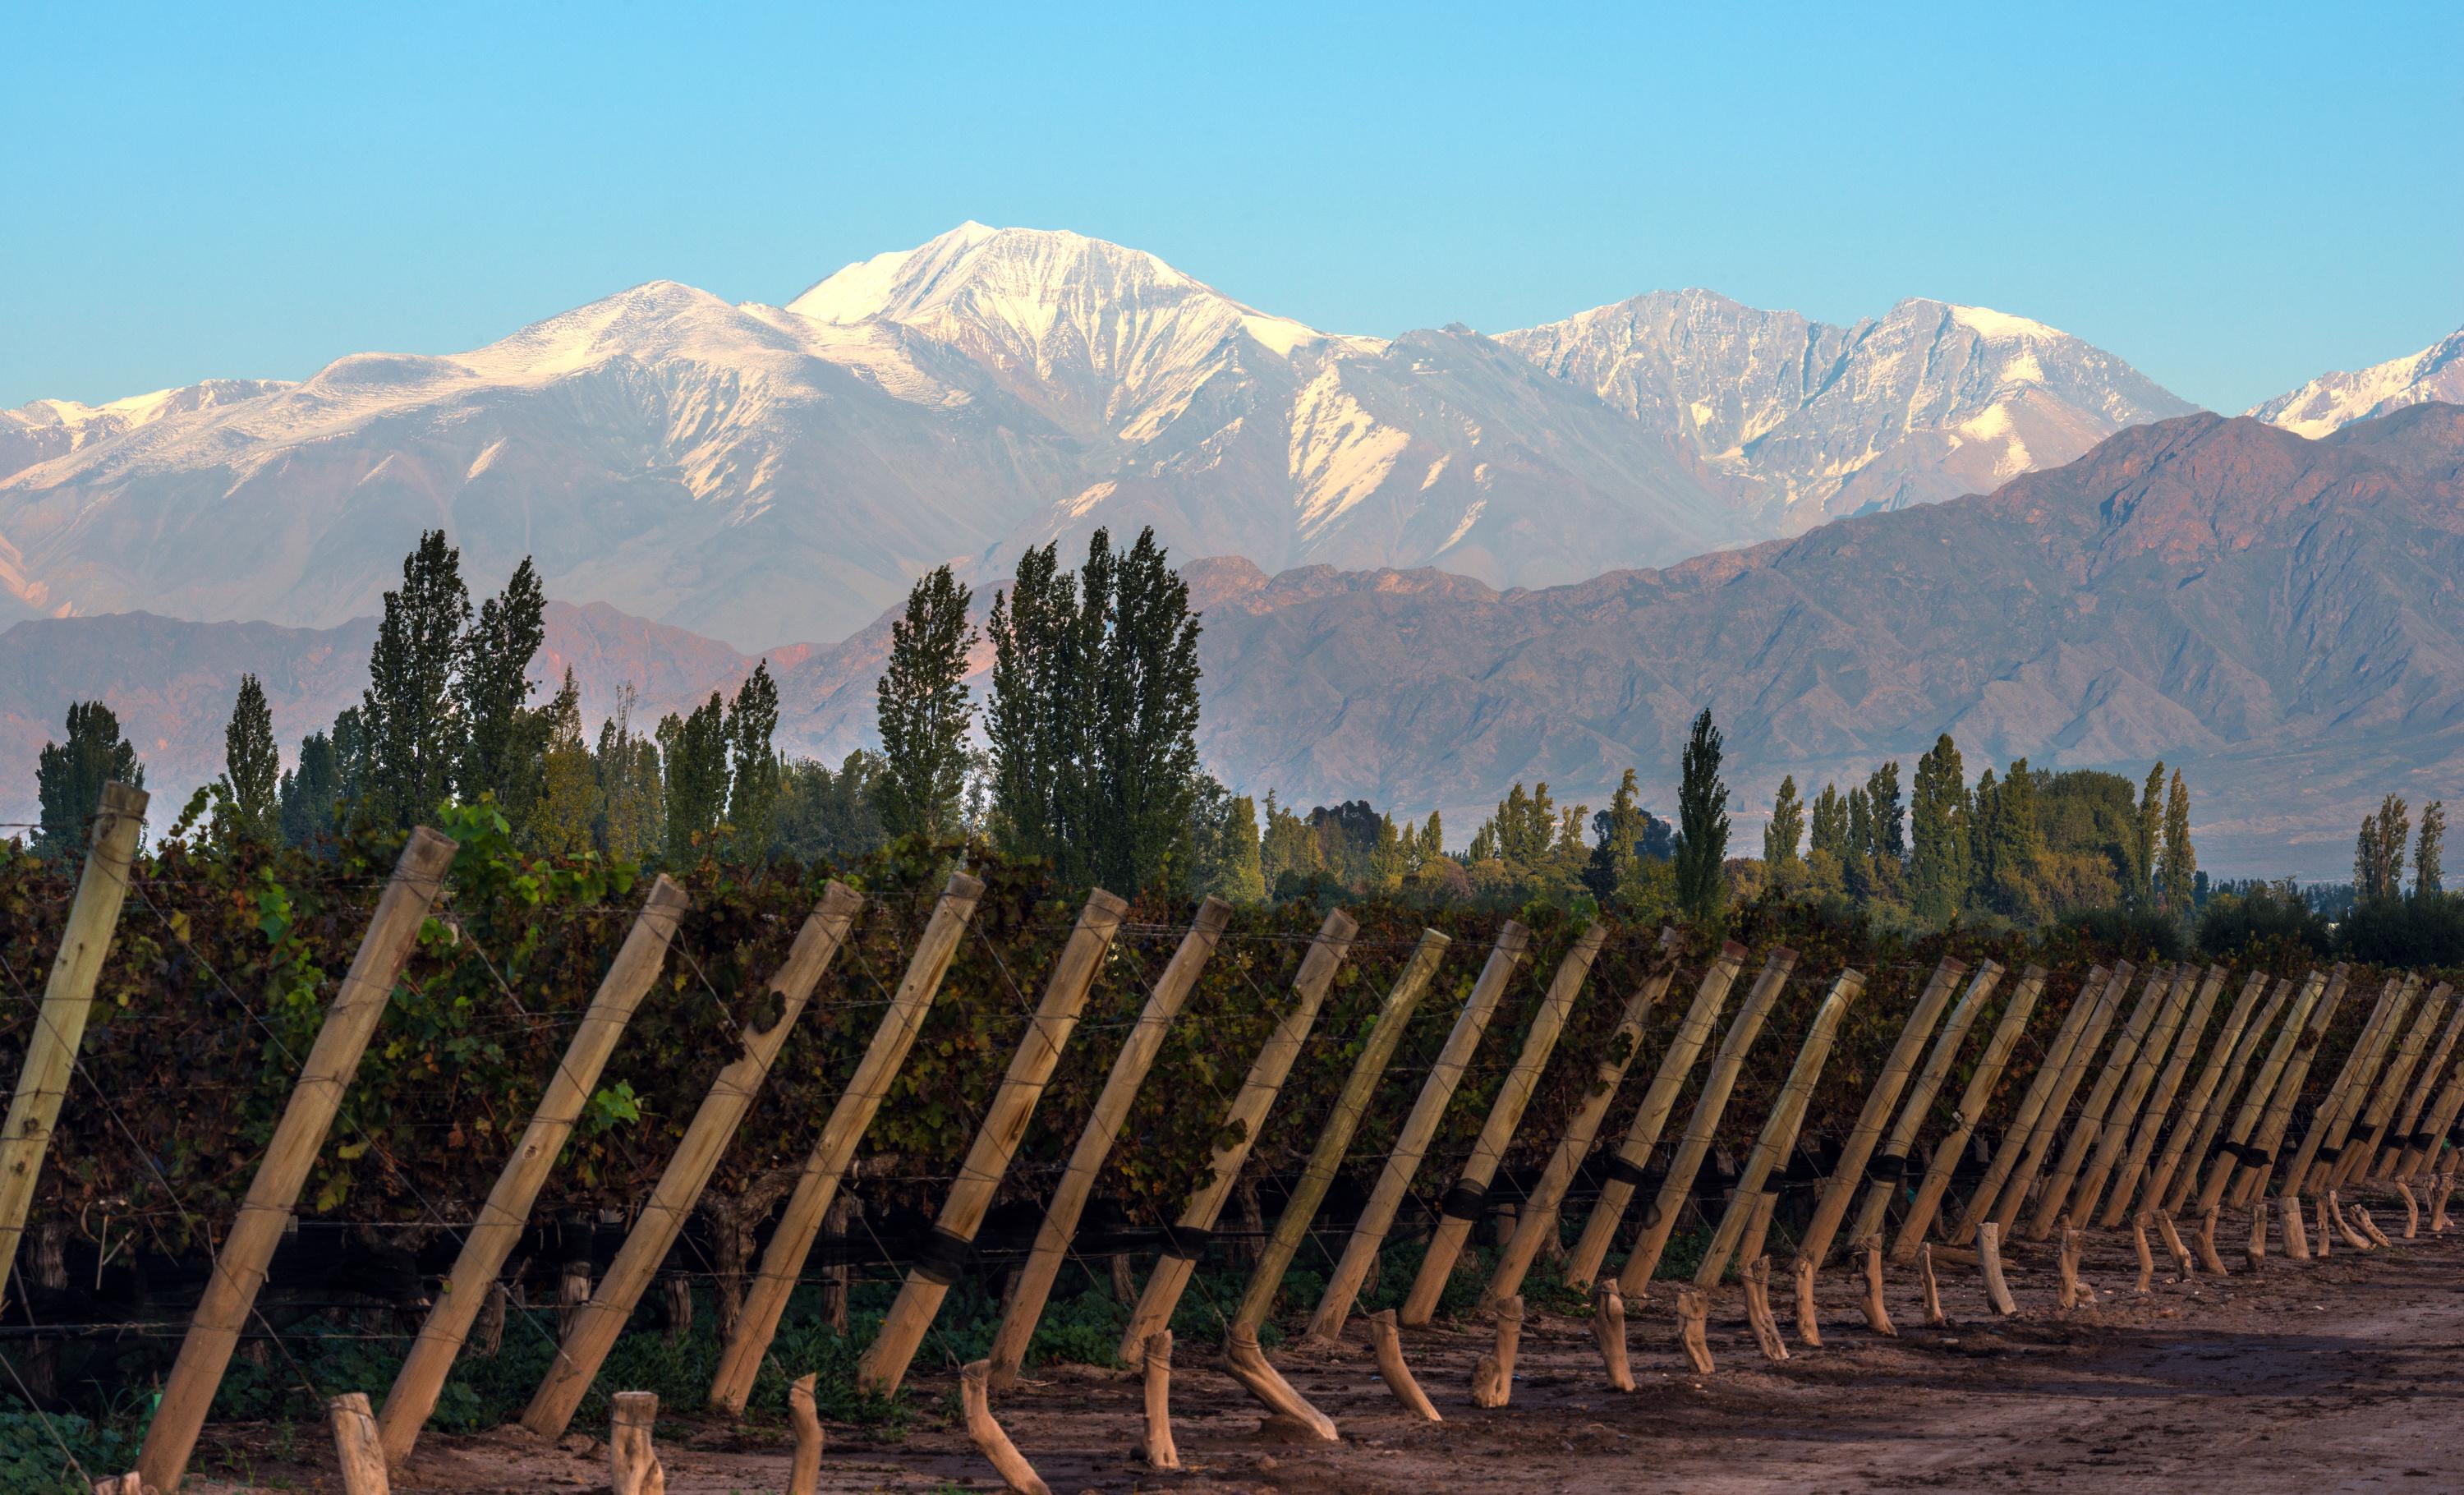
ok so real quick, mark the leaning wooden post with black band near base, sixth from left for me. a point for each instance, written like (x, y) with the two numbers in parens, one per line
(997, 1142)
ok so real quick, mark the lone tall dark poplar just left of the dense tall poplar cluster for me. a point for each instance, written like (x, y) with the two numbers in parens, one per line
(925, 711)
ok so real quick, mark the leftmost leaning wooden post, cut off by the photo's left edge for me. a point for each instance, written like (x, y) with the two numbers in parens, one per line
(68, 999)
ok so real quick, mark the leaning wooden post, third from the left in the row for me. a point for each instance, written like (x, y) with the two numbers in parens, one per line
(506, 1213)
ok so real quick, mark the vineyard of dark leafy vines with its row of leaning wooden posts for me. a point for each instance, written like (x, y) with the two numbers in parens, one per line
(437, 1139)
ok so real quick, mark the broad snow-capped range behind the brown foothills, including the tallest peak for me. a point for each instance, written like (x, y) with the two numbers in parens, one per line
(768, 474)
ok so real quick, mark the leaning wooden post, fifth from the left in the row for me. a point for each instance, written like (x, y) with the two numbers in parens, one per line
(817, 1188)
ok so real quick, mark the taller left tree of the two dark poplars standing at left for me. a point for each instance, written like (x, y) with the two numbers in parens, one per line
(410, 713)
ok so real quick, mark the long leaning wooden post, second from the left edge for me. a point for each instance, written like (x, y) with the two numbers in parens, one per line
(299, 1137)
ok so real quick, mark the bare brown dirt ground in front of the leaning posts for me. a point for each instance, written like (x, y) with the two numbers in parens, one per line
(2325, 1376)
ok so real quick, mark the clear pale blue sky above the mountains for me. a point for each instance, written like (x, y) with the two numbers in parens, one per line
(2231, 198)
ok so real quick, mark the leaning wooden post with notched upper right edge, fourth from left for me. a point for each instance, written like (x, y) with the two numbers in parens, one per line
(689, 1171)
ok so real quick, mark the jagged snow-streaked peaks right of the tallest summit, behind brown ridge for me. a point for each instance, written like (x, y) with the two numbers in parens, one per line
(1810, 422)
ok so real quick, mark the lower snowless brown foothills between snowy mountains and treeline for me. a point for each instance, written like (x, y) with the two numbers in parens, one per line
(2276, 615)
